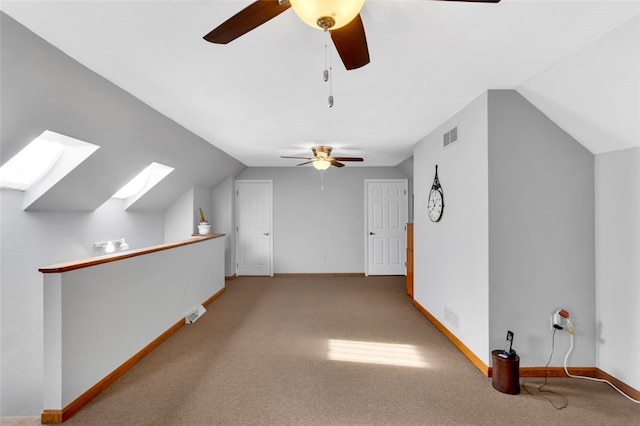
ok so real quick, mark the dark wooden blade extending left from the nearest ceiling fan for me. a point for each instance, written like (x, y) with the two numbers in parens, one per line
(252, 16)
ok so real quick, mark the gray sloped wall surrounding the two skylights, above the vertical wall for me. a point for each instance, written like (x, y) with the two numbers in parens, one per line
(44, 89)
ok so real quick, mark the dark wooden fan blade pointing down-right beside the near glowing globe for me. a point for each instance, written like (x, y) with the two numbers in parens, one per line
(351, 44)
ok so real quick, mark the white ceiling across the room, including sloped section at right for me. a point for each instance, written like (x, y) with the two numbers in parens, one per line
(262, 95)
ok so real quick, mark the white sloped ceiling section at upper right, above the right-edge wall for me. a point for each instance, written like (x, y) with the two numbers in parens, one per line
(593, 94)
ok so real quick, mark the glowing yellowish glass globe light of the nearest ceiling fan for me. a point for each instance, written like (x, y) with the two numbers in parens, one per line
(327, 14)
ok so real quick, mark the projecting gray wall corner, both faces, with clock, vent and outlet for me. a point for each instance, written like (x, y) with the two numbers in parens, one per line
(516, 241)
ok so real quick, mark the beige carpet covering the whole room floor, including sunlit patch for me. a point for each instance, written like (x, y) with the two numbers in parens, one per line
(273, 351)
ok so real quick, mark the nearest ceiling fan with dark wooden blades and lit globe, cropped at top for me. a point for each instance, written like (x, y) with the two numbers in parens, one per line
(340, 17)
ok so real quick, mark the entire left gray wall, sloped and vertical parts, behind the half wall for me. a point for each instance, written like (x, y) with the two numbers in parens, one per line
(43, 89)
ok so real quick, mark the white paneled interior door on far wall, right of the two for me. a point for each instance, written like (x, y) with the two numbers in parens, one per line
(385, 226)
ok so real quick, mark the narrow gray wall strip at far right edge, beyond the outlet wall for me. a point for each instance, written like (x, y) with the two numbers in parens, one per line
(617, 264)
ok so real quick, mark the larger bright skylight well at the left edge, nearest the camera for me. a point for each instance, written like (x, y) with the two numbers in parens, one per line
(43, 163)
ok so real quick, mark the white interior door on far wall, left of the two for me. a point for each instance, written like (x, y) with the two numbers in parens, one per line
(254, 234)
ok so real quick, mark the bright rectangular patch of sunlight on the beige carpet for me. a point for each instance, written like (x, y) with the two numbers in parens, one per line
(375, 353)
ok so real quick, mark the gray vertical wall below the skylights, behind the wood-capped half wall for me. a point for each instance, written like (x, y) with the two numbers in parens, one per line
(31, 240)
